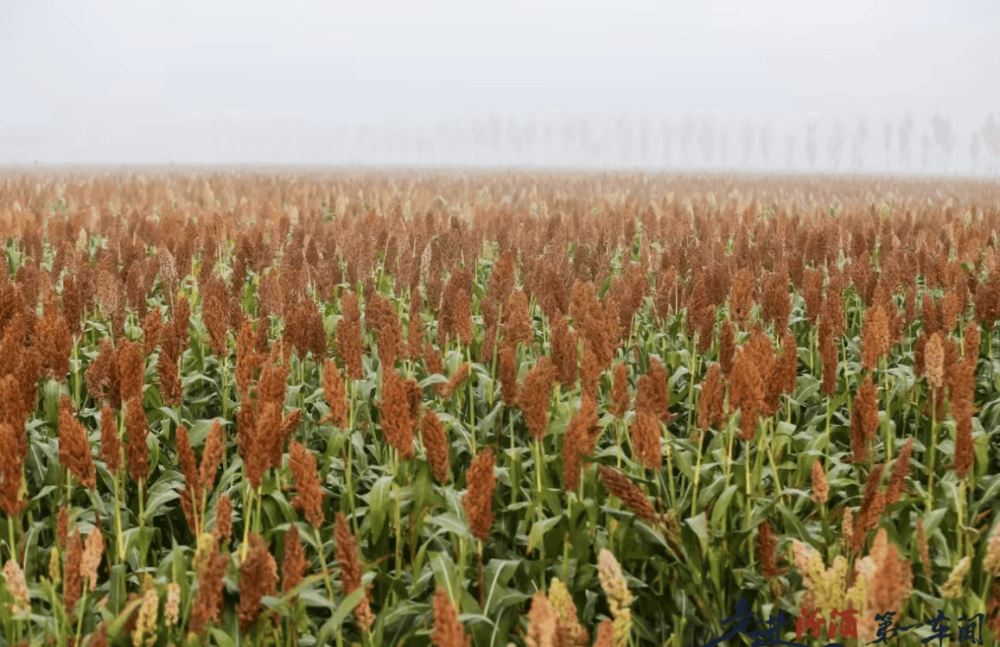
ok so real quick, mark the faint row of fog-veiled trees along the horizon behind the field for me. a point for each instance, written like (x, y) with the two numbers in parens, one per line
(690, 141)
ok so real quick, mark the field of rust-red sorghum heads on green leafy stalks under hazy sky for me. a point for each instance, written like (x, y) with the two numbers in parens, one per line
(289, 408)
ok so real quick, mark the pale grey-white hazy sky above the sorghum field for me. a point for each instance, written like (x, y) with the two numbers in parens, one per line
(680, 84)
